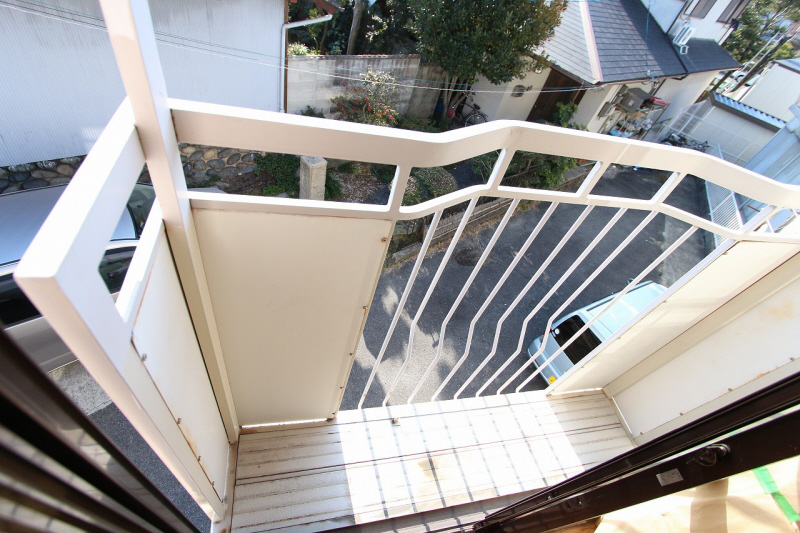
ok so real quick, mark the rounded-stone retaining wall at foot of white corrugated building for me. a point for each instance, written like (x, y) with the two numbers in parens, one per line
(201, 165)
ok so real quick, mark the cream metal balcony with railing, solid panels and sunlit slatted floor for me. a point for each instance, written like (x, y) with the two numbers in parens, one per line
(234, 336)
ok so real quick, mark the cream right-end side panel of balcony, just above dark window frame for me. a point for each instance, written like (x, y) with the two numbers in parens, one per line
(756, 346)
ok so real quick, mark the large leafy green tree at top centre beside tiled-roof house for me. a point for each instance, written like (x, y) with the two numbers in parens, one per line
(496, 39)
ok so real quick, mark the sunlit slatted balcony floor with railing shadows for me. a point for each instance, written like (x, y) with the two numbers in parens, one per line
(364, 468)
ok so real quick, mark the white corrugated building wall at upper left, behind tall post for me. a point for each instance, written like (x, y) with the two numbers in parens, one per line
(62, 83)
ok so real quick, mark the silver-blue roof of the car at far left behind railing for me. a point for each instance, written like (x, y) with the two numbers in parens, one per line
(22, 213)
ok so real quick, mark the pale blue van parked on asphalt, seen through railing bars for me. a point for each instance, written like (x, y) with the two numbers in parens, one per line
(609, 322)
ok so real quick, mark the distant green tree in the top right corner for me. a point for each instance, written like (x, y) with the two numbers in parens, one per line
(761, 20)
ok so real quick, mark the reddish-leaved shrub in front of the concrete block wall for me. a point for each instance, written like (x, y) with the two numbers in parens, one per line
(370, 103)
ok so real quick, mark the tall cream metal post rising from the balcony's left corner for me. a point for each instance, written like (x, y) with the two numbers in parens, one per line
(130, 28)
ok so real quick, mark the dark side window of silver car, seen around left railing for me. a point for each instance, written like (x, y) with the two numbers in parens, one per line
(16, 308)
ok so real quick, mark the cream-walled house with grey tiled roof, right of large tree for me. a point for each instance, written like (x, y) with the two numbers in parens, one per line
(619, 61)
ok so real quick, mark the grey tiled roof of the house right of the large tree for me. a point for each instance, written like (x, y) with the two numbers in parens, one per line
(606, 41)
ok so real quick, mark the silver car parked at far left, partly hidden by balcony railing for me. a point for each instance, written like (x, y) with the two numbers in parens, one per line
(22, 213)
